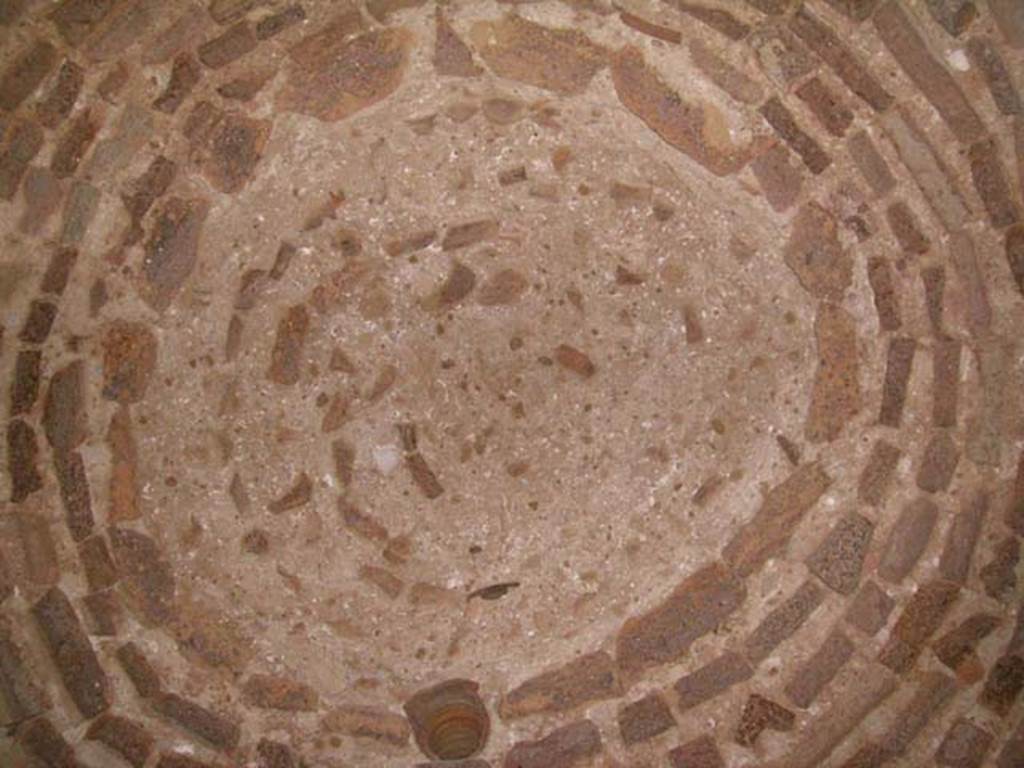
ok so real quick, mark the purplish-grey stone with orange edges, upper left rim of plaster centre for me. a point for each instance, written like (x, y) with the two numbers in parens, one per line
(172, 250)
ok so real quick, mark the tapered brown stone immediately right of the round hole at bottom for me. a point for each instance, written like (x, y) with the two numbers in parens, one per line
(589, 678)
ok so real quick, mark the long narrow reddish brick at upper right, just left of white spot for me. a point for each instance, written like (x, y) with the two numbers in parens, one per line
(899, 33)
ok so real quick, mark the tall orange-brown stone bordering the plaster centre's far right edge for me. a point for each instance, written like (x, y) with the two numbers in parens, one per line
(836, 398)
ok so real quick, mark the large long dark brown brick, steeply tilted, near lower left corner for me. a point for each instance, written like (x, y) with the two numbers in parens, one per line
(72, 654)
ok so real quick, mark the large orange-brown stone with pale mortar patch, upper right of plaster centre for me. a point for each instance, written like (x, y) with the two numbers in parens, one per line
(694, 129)
